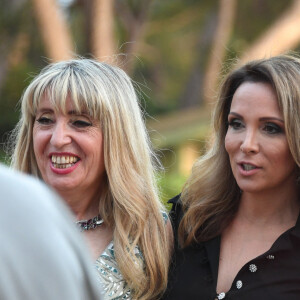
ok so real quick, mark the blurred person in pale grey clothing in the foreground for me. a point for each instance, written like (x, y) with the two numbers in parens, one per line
(41, 253)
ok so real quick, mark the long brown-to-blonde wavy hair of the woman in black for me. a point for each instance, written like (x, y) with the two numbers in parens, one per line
(211, 195)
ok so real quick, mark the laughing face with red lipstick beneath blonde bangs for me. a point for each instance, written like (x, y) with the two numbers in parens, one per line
(68, 148)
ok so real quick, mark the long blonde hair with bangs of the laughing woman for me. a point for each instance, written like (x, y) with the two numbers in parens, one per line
(129, 201)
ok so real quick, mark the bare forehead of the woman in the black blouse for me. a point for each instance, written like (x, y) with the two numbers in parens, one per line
(255, 97)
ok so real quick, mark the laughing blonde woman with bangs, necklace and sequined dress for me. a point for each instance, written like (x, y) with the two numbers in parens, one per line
(81, 130)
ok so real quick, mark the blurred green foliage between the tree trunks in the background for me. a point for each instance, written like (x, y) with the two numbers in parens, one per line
(174, 49)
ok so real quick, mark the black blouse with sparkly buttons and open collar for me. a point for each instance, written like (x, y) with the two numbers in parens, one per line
(274, 275)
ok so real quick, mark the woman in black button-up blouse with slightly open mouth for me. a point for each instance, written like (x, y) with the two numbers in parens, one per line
(237, 218)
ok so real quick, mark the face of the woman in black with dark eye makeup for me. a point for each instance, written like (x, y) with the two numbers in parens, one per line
(256, 143)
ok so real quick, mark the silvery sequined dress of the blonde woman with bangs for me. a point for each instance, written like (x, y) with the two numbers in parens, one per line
(110, 278)
